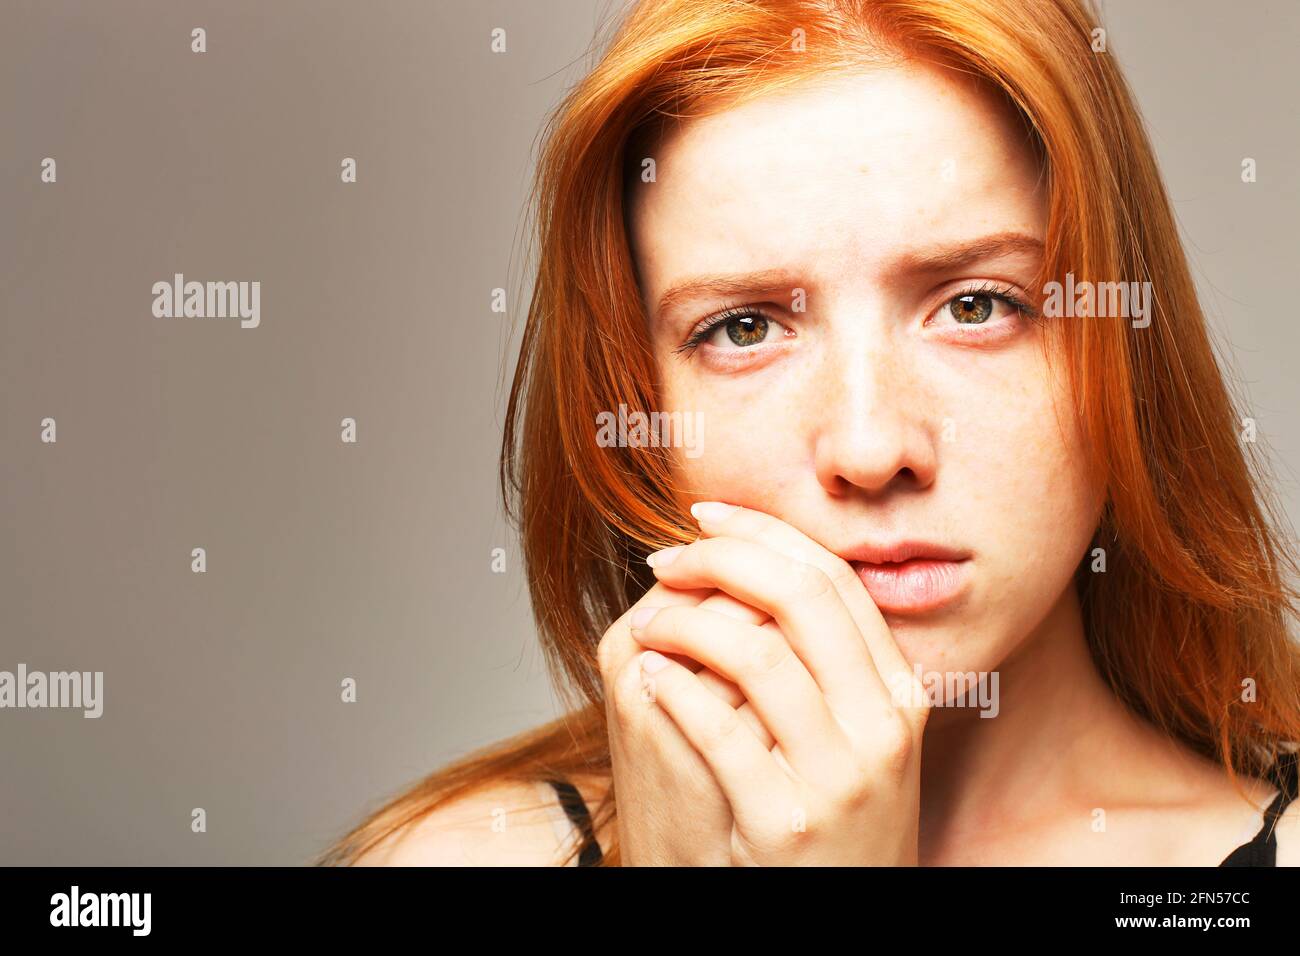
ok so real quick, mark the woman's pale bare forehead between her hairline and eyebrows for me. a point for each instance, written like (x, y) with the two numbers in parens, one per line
(833, 174)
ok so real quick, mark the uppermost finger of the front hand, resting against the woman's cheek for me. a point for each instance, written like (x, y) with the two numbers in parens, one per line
(721, 520)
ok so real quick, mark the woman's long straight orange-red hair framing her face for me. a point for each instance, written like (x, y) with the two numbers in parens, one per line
(1198, 594)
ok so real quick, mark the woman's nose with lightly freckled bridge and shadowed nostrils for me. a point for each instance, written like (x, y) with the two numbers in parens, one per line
(873, 432)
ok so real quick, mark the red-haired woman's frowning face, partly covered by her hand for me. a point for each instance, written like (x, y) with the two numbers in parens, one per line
(873, 387)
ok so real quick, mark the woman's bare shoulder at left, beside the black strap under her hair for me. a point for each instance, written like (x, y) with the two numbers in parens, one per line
(501, 824)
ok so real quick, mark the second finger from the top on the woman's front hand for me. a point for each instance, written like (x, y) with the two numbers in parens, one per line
(807, 607)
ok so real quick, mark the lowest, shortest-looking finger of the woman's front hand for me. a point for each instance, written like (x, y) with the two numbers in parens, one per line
(747, 773)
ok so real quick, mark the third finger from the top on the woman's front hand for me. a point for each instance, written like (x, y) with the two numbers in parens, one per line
(775, 682)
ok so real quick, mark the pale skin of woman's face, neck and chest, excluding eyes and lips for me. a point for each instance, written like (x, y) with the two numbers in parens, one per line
(879, 422)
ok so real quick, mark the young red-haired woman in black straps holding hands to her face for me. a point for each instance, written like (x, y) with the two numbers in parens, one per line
(829, 232)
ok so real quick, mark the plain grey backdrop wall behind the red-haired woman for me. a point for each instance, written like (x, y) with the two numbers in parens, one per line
(371, 561)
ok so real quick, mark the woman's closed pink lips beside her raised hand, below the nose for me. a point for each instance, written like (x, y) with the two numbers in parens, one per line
(912, 577)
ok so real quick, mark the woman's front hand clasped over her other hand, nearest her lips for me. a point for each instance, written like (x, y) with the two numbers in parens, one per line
(842, 784)
